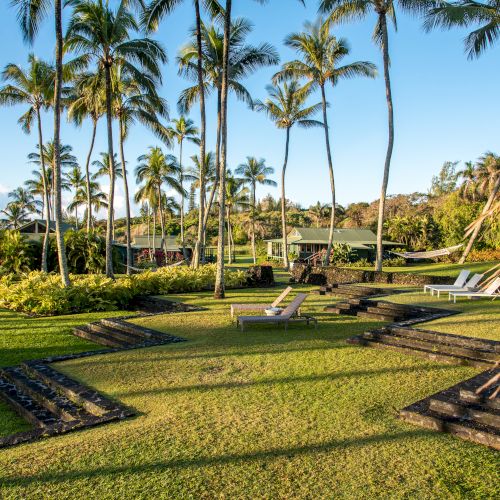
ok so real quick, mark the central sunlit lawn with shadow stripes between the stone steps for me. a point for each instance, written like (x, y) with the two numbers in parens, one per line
(261, 414)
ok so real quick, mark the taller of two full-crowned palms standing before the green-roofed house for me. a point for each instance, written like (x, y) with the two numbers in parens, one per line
(320, 63)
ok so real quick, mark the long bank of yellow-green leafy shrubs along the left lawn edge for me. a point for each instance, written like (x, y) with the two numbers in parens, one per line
(43, 294)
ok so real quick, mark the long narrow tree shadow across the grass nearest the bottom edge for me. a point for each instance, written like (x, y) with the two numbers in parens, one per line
(209, 461)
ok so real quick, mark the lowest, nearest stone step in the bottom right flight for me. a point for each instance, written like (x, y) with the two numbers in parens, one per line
(419, 414)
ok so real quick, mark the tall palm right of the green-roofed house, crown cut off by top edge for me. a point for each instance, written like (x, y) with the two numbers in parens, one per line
(341, 11)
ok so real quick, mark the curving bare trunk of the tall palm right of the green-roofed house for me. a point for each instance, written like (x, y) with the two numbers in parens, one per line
(390, 144)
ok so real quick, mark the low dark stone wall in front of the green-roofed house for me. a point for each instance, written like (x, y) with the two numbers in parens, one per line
(305, 273)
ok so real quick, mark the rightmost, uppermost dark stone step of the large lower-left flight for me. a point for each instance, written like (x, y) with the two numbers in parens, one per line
(81, 395)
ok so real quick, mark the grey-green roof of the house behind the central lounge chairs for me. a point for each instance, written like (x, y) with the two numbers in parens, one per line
(356, 238)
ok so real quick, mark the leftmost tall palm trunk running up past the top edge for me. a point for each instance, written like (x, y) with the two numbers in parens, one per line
(61, 250)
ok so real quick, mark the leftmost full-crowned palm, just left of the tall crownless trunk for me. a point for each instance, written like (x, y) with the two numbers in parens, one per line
(35, 88)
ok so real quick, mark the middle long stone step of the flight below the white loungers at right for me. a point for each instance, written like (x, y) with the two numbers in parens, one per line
(432, 346)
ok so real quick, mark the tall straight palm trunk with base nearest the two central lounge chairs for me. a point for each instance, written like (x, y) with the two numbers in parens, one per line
(219, 292)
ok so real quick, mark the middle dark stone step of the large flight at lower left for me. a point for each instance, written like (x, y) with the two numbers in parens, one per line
(44, 395)
